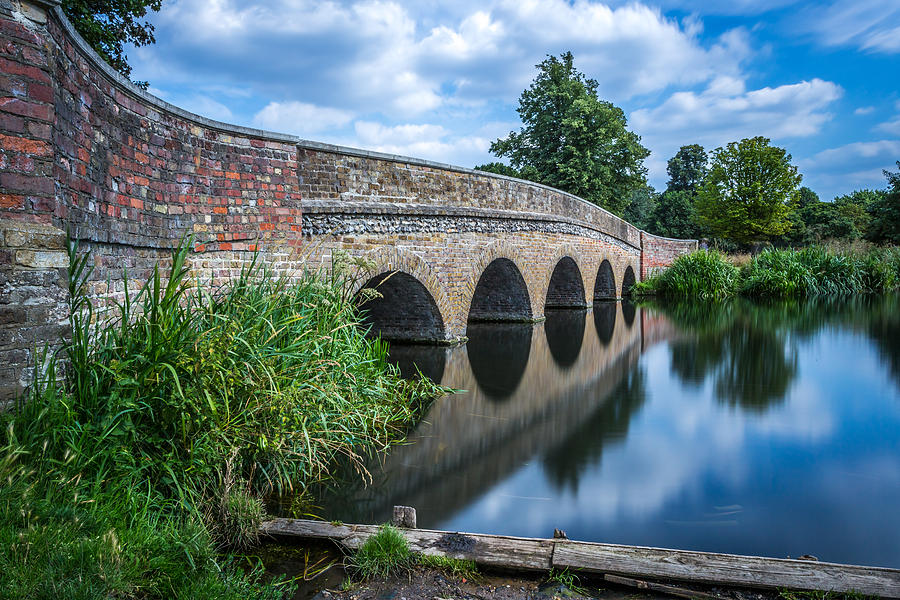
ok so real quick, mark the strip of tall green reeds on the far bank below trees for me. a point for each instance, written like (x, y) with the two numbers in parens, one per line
(789, 274)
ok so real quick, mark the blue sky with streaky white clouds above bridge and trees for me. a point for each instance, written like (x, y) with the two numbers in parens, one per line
(442, 80)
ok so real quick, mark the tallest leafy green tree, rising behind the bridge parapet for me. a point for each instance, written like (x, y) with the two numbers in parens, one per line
(572, 140)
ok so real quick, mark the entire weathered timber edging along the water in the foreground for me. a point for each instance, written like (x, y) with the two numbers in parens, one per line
(630, 561)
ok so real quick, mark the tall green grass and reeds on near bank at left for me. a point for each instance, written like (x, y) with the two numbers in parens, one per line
(179, 412)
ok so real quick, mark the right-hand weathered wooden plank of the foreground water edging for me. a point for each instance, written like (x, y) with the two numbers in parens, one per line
(725, 569)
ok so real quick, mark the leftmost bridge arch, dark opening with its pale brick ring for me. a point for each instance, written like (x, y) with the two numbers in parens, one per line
(412, 306)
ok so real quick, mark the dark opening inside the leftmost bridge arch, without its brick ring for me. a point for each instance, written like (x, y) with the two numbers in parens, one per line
(405, 309)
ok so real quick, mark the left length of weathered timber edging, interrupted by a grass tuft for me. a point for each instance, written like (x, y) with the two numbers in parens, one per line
(489, 550)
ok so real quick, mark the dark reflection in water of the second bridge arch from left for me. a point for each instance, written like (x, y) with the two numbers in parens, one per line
(498, 354)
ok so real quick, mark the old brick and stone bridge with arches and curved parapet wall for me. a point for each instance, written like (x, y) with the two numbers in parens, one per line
(127, 175)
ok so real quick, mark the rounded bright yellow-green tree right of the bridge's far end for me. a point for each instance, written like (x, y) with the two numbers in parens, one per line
(750, 191)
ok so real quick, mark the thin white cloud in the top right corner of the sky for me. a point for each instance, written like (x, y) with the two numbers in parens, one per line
(870, 25)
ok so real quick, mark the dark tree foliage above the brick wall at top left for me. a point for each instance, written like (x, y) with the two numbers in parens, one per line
(107, 25)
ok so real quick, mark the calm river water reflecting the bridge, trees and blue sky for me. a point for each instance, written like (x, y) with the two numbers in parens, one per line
(766, 430)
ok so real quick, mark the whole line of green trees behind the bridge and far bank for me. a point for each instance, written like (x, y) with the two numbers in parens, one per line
(740, 194)
